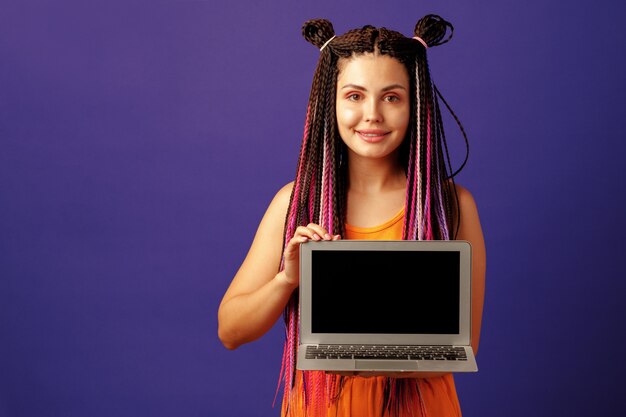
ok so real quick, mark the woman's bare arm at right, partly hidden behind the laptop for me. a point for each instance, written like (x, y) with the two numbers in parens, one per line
(470, 230)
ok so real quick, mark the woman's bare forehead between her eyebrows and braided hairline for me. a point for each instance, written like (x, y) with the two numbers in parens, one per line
(371, 70)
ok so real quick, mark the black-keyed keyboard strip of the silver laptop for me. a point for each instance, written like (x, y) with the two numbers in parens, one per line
(437, 353)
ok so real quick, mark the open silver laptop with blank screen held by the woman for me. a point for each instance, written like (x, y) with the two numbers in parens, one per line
(372, 306)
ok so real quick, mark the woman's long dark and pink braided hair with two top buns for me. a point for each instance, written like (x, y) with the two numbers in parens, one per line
(320, 188)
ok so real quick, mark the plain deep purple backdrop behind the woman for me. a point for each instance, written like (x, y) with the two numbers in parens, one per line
(140, 144)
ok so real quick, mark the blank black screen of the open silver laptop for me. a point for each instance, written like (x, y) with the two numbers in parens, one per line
(385, 292)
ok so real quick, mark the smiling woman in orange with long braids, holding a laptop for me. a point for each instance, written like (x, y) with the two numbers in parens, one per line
(373, 165)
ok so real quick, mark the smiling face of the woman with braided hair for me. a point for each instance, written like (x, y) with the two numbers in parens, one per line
(372, 104)
